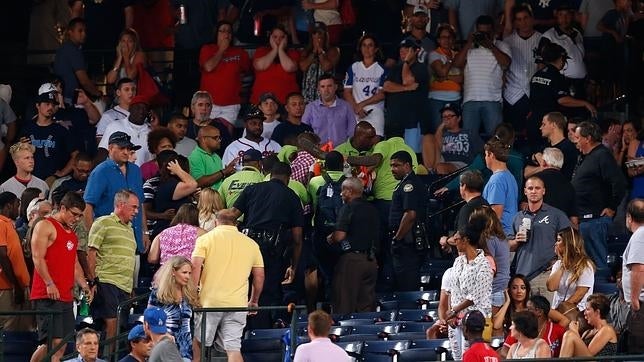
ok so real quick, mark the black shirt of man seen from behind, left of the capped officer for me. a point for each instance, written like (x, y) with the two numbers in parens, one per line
(361, 221)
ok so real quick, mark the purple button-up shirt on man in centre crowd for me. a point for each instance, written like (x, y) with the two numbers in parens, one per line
(335, 123)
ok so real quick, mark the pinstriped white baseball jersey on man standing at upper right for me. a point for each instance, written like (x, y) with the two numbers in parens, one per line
(522, 68)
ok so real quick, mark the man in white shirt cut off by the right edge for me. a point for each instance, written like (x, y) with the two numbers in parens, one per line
(632, 268)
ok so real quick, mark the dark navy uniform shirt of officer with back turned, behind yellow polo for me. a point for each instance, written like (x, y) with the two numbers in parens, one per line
(269, 205)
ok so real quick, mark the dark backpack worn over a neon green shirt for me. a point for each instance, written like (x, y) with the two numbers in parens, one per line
(329, 203)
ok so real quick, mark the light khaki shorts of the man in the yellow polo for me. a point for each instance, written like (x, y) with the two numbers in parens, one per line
(224, 329)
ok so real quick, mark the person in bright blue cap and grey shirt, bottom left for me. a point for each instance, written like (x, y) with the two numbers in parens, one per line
(164, 347)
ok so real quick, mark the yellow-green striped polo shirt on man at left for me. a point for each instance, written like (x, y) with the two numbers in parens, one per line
(116, 248)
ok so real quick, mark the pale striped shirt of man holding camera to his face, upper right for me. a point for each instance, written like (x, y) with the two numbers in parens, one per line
(483, 74)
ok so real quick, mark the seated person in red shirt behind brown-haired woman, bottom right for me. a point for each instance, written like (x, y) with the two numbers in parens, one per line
(549, 331)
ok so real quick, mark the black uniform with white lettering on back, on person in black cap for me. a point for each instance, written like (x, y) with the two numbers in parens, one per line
(546, 87)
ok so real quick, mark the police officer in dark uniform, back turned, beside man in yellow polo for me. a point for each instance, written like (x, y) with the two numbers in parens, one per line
(270, 210)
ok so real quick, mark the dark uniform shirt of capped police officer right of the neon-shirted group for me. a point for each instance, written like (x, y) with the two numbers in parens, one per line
(410, 194)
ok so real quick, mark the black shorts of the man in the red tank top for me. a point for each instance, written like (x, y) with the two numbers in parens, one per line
(63, 323)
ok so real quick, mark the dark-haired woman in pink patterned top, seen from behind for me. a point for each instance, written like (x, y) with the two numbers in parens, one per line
(179, 238)
